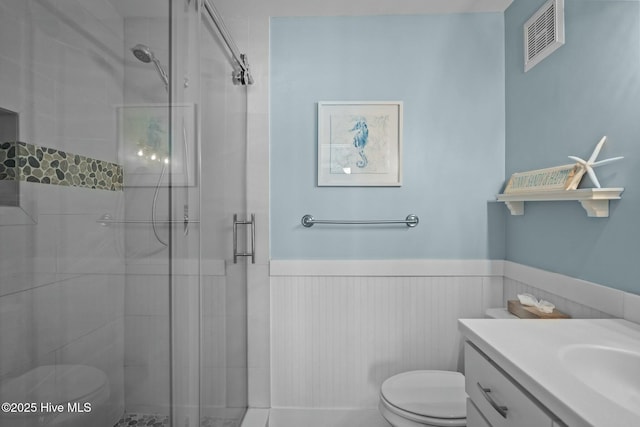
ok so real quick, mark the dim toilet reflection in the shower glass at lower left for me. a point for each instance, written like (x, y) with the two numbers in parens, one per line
(57, 385)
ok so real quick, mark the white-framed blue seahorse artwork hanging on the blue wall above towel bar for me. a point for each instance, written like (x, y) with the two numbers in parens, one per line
(360, 143)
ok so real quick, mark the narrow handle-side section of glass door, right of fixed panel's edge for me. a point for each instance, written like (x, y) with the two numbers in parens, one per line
(223, 114)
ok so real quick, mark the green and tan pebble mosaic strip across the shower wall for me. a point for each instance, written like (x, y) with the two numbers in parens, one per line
(33, 163)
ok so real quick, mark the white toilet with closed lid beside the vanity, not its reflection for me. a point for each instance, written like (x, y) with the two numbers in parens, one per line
(428, 398)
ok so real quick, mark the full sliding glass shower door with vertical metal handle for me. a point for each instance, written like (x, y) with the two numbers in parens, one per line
(208, 289)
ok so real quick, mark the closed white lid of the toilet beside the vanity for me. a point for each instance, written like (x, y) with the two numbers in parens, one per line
(435, 394)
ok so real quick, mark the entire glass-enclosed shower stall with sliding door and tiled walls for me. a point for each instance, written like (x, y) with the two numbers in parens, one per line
(123, 225)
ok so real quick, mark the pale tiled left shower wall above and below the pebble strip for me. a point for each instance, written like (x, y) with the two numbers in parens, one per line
(62, 278)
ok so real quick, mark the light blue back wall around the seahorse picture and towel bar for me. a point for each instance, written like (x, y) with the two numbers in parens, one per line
(449, 72)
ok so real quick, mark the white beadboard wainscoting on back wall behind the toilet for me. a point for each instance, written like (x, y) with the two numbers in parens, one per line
(334, 340)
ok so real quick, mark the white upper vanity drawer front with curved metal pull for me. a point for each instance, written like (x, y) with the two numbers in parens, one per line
(499, 400)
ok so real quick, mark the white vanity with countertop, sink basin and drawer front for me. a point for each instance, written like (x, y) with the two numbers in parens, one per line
(542, 372)
